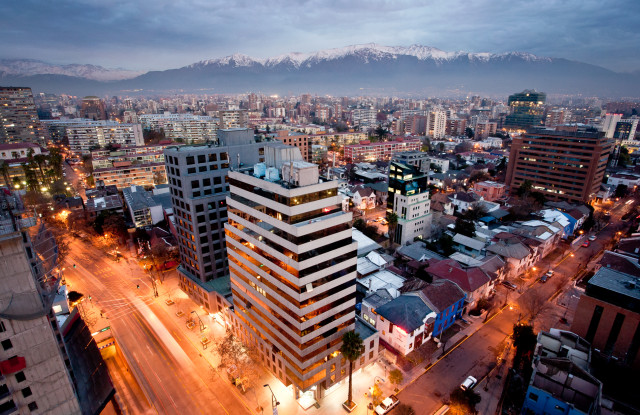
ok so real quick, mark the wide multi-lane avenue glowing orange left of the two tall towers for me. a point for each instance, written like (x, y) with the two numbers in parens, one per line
(167, 365)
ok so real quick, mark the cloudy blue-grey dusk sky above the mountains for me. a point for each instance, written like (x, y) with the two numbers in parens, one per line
(163, 34)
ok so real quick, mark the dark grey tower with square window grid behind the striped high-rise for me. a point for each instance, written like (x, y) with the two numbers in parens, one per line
(197, 177)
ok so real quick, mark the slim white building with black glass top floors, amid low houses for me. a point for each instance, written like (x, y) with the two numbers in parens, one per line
(409, 200)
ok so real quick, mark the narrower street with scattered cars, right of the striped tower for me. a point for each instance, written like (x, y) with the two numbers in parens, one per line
(477, 355)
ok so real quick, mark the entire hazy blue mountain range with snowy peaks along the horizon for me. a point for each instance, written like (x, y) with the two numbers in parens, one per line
(368, 69)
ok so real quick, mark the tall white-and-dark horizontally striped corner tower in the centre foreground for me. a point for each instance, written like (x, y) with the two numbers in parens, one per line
(293, 262)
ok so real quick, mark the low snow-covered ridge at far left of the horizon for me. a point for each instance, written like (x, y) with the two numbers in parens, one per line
(28, 67)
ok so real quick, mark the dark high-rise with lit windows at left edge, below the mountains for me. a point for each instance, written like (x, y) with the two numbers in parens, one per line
(19, 121)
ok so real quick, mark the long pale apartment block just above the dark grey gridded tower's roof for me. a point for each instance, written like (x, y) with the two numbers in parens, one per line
(184, 128)
